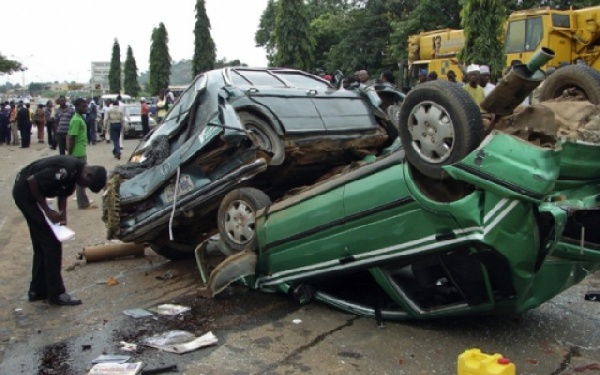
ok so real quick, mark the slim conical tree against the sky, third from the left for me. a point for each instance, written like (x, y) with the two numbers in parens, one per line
(160, 60)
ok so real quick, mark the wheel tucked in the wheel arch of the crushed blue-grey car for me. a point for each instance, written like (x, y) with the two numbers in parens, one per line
(264, 135)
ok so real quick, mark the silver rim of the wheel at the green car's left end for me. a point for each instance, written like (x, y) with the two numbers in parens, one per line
(240, 222)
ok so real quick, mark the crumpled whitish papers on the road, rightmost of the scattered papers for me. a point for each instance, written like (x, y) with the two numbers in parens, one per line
(180, 342)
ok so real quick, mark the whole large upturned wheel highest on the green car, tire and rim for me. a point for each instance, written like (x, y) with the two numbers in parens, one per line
(439, 125)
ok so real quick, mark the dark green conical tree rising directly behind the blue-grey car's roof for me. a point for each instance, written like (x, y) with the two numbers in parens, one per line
(292, 37)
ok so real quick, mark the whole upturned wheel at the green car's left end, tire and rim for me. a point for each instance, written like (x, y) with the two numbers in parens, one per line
(237, 217)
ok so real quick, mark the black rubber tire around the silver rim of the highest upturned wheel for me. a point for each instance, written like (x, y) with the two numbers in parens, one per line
(464, 114)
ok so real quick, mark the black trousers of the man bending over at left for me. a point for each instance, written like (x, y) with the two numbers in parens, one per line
(46, 279)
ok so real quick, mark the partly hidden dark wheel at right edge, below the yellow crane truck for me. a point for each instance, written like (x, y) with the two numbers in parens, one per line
(580, 77)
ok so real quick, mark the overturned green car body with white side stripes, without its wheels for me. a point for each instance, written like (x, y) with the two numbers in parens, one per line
(514, 241)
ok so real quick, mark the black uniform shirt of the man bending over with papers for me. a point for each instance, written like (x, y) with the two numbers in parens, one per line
(56, 176)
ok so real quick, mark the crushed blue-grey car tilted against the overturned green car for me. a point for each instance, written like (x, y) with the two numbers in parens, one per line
(271, 129)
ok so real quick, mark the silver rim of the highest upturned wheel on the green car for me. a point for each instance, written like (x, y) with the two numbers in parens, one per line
(432, 132)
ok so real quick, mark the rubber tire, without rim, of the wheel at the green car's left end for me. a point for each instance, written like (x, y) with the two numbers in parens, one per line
(255, 198)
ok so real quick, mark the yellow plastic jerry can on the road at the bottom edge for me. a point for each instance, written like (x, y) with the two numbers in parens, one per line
(474, 362)
